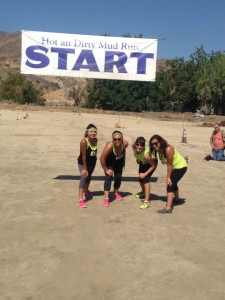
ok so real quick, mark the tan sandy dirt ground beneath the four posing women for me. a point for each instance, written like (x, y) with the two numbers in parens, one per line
(52, 249)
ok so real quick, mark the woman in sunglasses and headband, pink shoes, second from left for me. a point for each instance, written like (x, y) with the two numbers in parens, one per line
(113, 161)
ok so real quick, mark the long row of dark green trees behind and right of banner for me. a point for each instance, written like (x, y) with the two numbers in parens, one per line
(180, 86)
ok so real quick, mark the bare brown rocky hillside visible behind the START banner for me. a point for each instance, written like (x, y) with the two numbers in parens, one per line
(57, 90)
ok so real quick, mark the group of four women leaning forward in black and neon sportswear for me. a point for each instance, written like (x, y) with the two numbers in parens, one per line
(113, 158)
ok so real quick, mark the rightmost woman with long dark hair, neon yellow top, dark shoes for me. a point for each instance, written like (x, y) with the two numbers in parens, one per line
(176, 168)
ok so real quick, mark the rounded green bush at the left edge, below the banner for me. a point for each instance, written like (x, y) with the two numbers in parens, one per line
(18, 89)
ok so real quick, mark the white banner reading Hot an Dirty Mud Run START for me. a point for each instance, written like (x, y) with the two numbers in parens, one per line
(58, 54)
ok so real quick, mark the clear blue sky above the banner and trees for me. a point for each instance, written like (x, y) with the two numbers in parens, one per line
(180, 26)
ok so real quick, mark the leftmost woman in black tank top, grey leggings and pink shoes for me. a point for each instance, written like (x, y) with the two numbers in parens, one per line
(86, 162)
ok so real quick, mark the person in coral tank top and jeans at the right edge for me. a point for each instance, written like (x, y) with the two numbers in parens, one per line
(217, 142)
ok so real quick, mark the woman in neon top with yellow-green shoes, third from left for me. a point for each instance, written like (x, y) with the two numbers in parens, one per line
(147, 164)
